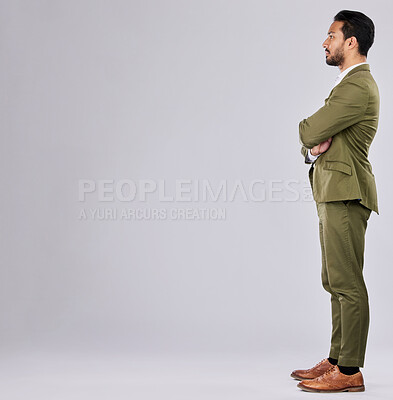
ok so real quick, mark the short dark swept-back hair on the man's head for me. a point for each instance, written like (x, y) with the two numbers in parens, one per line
(359, 25)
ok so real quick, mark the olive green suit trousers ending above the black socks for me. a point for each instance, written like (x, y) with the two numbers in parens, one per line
(342, 227)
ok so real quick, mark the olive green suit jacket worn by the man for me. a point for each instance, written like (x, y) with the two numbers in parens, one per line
(350, 116)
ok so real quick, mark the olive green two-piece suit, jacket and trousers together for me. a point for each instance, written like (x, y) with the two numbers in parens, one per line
(344, 189)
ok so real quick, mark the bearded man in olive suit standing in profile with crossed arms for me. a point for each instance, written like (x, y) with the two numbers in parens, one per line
(336, 141)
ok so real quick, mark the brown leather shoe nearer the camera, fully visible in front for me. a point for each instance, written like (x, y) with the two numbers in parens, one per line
(334, 381)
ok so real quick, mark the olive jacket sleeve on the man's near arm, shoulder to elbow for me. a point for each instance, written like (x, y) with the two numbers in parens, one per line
(346, 106)
